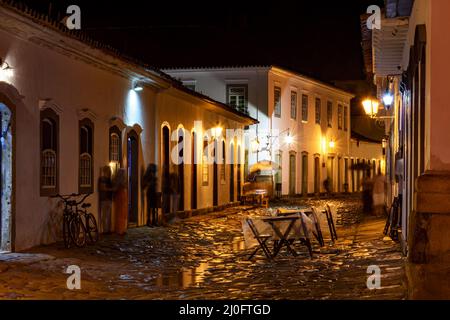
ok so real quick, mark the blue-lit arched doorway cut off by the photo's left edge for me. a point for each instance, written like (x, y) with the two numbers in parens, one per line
(6, 178)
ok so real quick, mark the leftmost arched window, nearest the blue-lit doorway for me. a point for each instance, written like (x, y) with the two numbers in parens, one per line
(49, 152)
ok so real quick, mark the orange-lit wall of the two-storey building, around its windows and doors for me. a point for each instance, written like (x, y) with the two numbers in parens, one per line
(309, 137)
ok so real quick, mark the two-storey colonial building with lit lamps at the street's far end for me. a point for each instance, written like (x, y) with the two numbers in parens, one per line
(304, 124)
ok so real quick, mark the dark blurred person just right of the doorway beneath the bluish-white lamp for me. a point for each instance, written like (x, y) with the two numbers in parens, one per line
(150, 182)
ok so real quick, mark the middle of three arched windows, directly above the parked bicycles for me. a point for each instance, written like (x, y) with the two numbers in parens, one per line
(86, 134)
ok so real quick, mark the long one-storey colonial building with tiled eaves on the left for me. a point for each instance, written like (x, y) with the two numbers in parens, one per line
(70, 106)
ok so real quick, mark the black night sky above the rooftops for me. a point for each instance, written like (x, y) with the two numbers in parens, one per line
(317, 38)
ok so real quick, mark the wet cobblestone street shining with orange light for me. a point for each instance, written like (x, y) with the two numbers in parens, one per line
(204, 258)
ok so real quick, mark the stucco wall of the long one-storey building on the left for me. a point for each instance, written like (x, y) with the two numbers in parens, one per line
(45, 77)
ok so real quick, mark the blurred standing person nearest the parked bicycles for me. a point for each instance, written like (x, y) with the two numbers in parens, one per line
(105, 191)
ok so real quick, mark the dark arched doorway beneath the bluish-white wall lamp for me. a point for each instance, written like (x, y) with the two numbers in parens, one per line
(133, 177)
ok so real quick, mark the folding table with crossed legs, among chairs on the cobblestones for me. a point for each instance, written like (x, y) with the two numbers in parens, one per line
(284, 239)
